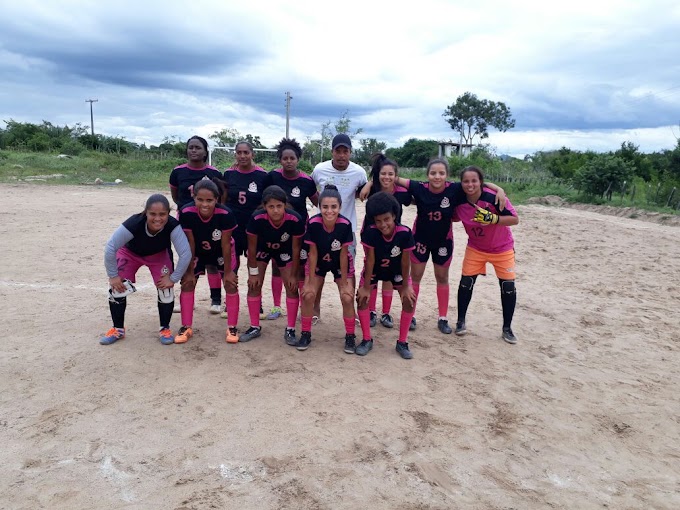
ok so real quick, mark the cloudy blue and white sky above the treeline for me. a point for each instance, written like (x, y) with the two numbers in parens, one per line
(581, 74)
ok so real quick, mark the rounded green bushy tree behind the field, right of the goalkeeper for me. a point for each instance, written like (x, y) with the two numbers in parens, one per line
(603, 170)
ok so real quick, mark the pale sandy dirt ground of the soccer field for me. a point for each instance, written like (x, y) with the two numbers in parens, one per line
(582, 413)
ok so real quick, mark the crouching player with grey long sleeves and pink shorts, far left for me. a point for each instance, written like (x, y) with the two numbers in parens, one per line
(145, 239)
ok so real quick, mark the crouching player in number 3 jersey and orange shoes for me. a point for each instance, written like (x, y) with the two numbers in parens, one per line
(208, 226)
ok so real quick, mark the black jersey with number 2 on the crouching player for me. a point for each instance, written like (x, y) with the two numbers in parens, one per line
(388, 252)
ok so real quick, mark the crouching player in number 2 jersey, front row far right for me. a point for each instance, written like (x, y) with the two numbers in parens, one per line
(387, 245)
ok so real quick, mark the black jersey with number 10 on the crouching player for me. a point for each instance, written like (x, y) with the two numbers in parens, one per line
(273, 239)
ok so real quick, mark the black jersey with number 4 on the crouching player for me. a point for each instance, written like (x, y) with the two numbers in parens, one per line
(329, 243)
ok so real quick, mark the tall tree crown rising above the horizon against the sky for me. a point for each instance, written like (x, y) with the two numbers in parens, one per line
(470, 116)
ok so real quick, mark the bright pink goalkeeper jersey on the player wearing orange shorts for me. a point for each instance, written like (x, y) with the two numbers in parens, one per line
(487, 238)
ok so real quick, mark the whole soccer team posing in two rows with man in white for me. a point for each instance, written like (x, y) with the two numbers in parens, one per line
(263, 216)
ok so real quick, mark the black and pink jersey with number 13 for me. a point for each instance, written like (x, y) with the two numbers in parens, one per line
(435, 210)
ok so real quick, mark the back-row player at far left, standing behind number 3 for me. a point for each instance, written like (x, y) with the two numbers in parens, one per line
(182, 181)
